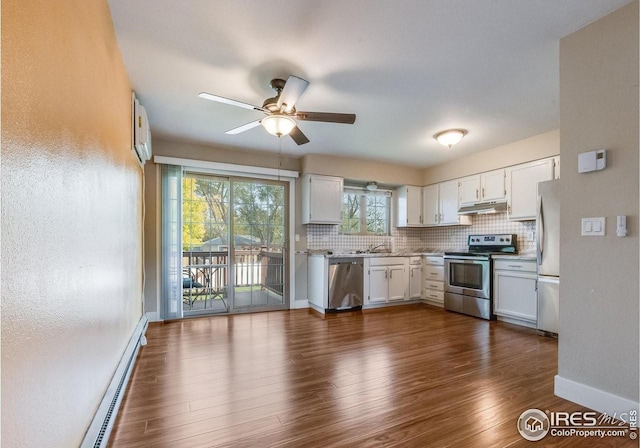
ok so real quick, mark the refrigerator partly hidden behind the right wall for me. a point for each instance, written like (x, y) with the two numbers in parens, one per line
(548, 255)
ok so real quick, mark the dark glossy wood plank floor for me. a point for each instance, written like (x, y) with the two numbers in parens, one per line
(406, 376)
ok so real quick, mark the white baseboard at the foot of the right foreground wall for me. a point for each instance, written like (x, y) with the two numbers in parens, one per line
(592, 398)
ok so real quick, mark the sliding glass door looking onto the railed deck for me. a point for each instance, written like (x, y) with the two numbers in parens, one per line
(234, 244)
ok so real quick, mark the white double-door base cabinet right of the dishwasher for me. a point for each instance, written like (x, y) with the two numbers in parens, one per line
(387, 279)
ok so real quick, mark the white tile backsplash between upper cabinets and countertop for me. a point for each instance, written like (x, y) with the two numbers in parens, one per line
(325, 237)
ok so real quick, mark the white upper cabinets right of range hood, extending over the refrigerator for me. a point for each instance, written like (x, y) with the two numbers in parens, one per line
(522, 188)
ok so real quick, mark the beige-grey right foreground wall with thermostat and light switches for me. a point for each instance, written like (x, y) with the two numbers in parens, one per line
(598, 345)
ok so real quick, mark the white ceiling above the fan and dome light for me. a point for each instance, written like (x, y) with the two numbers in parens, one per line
(406, 68)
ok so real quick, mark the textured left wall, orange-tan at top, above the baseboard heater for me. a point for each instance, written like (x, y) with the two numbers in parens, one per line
(71, 214)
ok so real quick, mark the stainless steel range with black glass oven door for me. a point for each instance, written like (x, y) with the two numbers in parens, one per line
(468, 275)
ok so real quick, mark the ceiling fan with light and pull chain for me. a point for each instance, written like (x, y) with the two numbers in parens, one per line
(280, 111)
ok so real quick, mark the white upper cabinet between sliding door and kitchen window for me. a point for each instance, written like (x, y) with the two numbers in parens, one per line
(321, 199)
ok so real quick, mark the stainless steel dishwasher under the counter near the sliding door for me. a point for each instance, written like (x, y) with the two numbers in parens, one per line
(346, 283)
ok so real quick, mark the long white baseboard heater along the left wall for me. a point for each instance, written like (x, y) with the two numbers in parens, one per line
(97, 436)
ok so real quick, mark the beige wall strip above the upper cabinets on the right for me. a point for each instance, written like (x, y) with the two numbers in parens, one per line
(534, 148)
